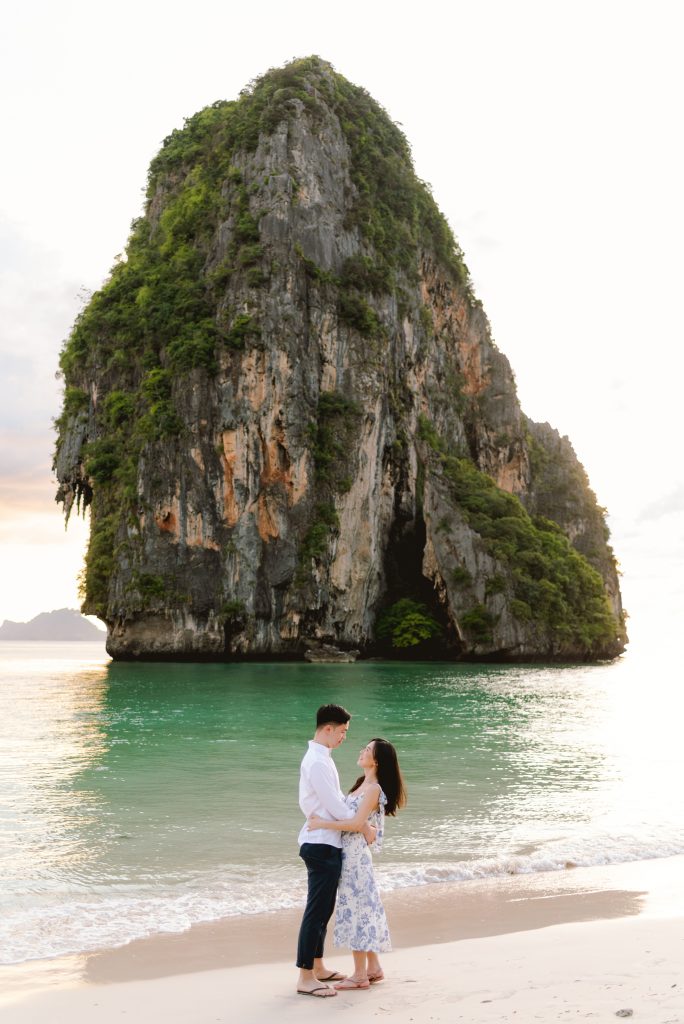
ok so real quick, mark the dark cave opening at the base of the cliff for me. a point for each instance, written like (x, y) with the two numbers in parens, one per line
(405, 581)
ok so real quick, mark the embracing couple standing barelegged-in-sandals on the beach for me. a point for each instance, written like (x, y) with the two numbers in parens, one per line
(335, 845)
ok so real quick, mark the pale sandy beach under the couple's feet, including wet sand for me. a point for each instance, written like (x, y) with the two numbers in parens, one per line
(586, 944)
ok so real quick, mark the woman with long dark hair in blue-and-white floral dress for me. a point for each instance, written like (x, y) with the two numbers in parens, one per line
(361, 923)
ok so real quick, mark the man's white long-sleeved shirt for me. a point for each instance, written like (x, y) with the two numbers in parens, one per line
(320, 794)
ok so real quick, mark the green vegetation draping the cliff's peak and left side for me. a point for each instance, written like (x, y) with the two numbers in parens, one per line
(163, 314)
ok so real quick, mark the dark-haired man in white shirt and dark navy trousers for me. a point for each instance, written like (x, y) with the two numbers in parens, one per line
(322, 849)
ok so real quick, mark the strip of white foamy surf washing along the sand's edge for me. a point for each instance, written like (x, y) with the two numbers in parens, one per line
(67, 925)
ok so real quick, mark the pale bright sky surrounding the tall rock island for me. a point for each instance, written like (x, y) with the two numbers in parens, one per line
(551, 135)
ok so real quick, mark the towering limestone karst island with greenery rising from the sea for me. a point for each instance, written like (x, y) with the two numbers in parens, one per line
(287, 415)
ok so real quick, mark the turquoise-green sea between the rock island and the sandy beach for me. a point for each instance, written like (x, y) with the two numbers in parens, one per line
(138, 799)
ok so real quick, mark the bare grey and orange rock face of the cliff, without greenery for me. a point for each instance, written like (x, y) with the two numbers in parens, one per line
(225, 513)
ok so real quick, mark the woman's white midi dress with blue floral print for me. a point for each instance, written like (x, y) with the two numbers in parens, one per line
(361, 923)
